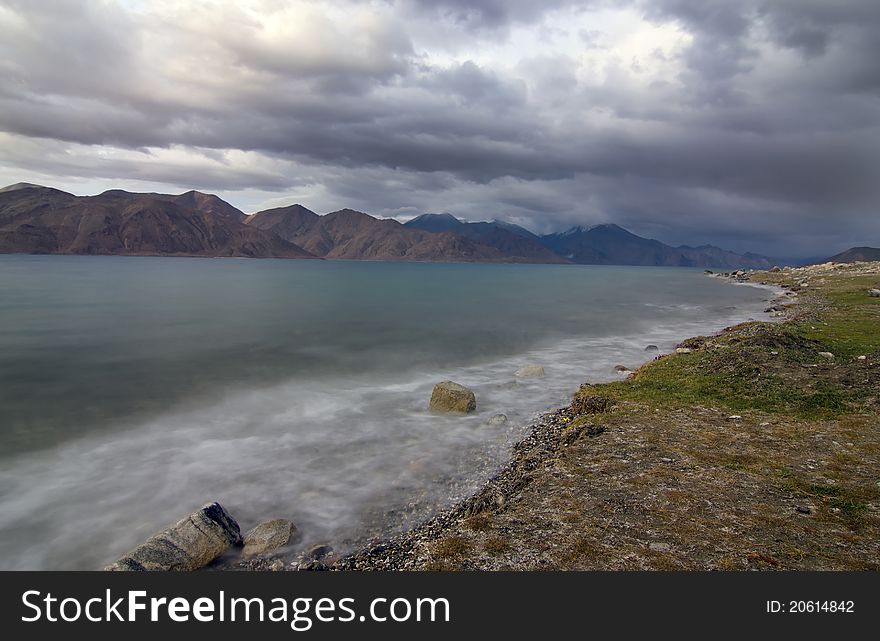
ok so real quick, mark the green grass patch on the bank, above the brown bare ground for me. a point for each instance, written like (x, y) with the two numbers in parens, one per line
(772, 368)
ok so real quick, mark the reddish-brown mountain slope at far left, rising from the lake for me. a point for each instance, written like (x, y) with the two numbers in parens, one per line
(43, 220)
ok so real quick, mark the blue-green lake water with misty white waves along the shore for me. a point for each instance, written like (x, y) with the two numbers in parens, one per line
(133, 390)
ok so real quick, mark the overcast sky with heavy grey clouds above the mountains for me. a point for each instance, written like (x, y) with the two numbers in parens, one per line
(749, 124)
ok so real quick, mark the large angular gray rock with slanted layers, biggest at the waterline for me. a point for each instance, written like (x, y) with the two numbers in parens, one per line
(189, 544)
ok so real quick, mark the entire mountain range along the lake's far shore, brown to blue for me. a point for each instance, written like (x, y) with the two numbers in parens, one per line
(37, 219)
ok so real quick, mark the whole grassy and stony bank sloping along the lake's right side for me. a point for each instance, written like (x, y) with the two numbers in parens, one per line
(756, 448)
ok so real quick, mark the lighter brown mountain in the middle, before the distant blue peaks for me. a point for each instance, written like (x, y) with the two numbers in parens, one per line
(353, 235)
